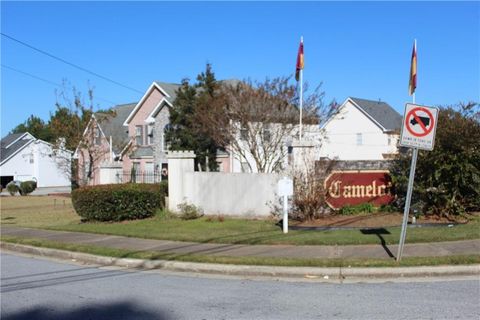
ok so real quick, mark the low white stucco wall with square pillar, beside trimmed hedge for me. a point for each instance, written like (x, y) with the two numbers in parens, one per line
(238, 194)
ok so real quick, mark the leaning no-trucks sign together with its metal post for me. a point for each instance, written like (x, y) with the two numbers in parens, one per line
(418, 132)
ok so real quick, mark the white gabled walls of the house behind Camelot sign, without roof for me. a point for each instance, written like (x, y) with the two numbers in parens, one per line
(341, 131)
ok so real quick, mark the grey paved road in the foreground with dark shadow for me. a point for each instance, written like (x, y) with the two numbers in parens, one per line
(42, 289)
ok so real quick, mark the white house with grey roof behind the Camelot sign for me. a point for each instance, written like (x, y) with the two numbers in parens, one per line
(361, 130)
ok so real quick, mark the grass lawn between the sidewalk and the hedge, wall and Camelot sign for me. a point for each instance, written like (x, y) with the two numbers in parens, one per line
(57, 213)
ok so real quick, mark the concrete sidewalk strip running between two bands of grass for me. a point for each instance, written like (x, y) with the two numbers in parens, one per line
(233, 250)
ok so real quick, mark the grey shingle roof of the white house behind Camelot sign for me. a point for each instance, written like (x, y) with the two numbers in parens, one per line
(381, 112)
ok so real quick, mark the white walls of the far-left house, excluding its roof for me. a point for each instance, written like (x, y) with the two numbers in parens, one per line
(36, 162)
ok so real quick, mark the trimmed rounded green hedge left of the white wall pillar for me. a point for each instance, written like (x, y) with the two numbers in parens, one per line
(117, 202)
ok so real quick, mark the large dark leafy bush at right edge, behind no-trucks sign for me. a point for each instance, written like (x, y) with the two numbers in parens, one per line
(447, 179)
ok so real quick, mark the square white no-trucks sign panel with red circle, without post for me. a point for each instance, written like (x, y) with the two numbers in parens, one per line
(419, 126)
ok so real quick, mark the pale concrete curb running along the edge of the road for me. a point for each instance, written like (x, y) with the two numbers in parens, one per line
(336, 273)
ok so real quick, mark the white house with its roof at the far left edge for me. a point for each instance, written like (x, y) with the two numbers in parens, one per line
(23, 157)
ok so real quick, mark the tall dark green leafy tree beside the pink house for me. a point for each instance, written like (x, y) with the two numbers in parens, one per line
(184, 132)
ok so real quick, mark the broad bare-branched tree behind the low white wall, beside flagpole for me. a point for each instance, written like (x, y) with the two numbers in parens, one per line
(257, 121)
